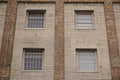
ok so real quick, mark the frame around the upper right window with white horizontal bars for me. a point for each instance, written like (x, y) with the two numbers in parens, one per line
(82, 27)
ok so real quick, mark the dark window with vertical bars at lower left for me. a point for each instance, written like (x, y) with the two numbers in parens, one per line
(33, 59)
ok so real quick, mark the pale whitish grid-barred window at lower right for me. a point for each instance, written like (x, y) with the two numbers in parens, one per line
(86, 59)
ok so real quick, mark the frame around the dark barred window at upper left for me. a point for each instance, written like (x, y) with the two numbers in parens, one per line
(27, 12)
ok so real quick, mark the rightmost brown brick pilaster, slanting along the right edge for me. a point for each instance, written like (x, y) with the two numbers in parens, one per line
(112, 39)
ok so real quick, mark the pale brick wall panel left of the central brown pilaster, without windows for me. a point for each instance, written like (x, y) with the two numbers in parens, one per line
(33, 38)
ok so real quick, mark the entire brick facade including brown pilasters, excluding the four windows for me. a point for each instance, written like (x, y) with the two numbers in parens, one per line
(104, 41)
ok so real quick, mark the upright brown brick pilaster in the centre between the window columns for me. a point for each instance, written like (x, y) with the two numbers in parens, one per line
(59, 41)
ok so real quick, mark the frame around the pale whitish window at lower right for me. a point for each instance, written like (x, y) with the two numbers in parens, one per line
(95, 52)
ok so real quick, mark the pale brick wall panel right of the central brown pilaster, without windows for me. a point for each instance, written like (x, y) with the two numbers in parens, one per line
(89, 38)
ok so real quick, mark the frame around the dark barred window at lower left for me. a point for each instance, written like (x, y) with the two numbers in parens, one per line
(23, 60)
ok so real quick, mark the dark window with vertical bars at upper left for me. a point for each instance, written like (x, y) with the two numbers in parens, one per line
(35, 18)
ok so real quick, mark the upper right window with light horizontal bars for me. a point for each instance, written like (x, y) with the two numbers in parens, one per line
(84, 19)
